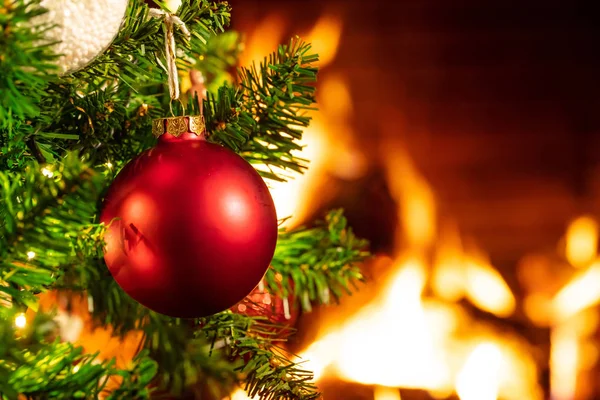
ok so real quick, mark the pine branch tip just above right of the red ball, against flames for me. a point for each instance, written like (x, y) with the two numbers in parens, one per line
(263, 119)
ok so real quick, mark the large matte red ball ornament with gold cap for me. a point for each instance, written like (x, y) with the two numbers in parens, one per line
(192, 227)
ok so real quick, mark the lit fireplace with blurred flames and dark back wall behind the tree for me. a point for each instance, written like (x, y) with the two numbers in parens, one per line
(461, 138)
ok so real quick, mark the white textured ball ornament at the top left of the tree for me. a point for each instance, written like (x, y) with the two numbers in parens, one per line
(84, 29)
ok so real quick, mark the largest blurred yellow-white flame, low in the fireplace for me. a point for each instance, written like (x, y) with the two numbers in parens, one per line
(405, 338)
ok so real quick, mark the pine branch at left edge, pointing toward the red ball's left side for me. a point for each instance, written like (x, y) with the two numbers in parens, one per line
(41, 217)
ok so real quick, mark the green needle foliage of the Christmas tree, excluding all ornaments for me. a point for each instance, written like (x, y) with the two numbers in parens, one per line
(47, 235)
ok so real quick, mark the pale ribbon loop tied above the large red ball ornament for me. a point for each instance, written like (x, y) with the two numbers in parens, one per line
(171, 21)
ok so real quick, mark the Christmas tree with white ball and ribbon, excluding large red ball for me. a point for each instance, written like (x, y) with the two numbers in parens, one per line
(72, 115)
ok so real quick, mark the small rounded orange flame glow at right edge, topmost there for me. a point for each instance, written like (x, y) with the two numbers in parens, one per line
(582, 241)
